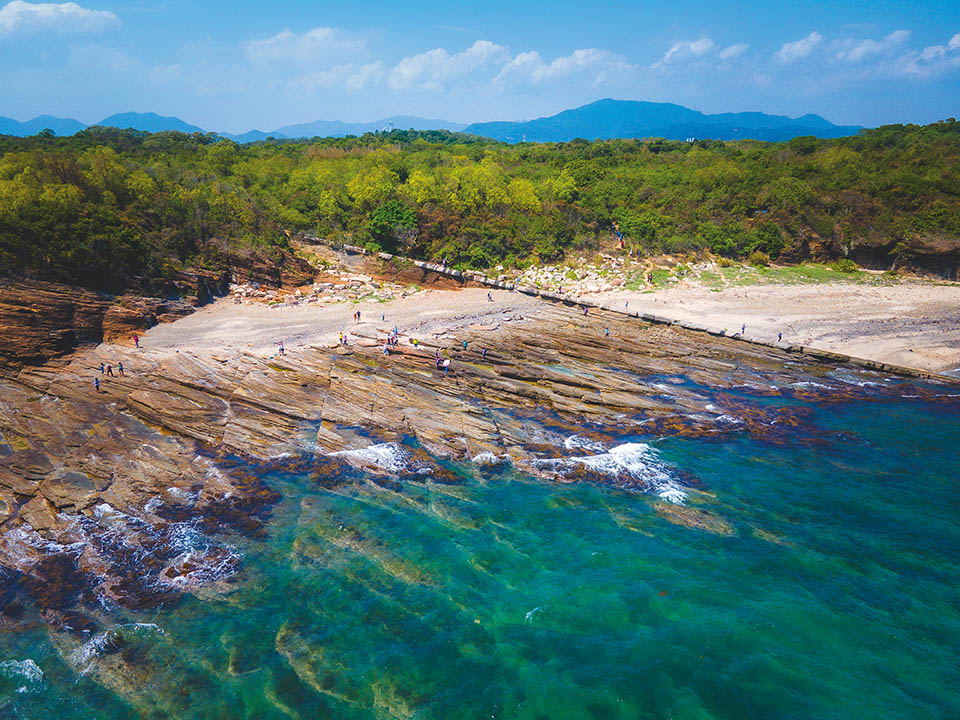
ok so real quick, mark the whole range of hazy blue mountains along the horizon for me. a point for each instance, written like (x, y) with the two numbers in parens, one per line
(600, 120)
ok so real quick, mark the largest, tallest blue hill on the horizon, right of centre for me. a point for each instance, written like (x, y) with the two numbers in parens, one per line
(606, 119)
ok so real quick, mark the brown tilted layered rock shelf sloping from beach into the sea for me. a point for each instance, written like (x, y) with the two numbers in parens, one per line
(121, 497)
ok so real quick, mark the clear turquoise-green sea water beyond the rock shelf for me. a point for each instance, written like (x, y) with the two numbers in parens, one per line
(509, 597)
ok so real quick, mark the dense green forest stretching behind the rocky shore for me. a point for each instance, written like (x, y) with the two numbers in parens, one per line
(105, 208)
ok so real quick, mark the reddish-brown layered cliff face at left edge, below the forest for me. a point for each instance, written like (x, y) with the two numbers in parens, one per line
(40, 321)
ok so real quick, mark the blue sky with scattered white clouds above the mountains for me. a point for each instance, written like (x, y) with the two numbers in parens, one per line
(233, 66)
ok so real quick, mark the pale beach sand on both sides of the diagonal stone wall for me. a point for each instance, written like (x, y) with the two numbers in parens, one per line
(913, 324)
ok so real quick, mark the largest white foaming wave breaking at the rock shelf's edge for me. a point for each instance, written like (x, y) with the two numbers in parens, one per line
(631, 465)
